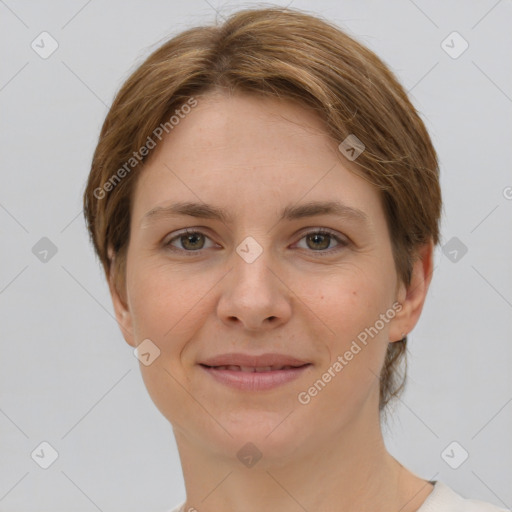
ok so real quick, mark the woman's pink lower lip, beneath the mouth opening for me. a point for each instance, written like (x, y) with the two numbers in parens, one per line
(255, 381)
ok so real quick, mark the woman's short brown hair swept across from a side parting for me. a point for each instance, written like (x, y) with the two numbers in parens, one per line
(285, 53)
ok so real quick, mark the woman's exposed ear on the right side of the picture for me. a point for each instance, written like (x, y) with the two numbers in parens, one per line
(413, 297)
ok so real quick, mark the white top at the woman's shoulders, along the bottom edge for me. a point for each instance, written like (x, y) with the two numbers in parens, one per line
(441, 499)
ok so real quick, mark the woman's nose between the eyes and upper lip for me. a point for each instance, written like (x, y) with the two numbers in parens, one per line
(254, 296)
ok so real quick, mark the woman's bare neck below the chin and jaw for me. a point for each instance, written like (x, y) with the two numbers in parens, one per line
(354, 472)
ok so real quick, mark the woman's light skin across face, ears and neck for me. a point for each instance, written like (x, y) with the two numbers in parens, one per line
(305, 296)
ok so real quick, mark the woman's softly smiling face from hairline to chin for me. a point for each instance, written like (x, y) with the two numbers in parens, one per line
(272, 277)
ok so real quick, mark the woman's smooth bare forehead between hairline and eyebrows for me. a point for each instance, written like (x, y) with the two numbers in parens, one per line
(249, 152)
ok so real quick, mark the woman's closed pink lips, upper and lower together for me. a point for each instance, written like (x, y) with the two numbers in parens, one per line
(222, 368)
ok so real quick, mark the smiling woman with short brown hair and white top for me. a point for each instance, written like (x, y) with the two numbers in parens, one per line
(265, 202)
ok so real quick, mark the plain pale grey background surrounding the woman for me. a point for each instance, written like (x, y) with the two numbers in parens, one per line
(67, 377)
